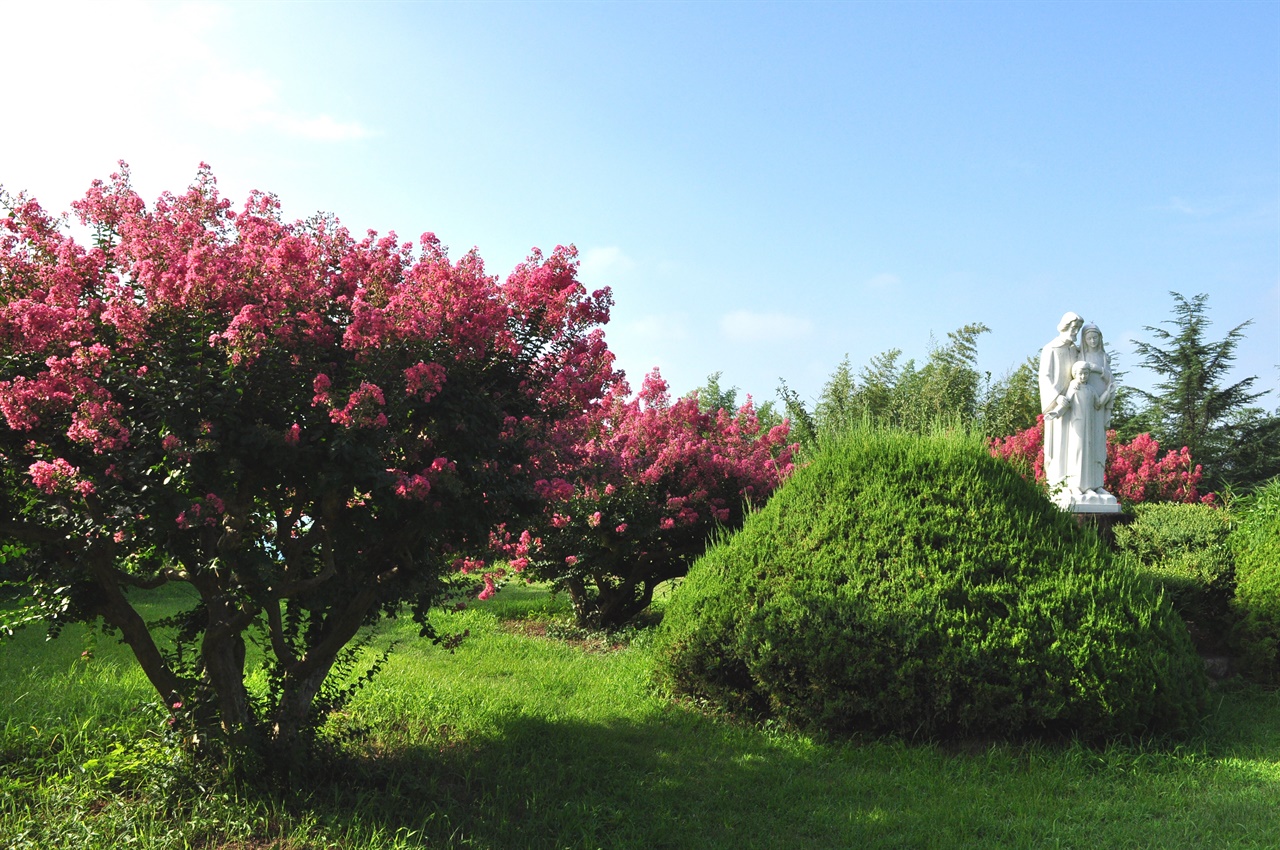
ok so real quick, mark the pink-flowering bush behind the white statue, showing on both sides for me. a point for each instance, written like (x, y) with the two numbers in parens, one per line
(1136, 472)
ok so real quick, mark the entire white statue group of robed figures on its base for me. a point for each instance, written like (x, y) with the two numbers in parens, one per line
(1077, 395)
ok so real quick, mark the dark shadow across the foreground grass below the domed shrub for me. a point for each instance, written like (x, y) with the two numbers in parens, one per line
(683, 782)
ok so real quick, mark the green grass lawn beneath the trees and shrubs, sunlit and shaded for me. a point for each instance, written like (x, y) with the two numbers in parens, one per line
(536, 735)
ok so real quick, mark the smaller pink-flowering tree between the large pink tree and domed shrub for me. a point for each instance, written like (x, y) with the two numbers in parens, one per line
(643, 485)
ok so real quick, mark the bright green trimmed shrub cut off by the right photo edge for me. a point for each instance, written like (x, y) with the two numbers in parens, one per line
(1256, 542)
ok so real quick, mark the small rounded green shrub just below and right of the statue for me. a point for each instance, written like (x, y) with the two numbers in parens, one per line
(1185, 550)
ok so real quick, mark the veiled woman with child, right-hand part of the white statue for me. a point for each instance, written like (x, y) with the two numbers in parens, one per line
(1091, 395)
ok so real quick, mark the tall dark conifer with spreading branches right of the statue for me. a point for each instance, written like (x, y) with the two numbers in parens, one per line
(1191, 406)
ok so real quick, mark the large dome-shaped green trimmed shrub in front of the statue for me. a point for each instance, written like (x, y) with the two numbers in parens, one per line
(917, 586)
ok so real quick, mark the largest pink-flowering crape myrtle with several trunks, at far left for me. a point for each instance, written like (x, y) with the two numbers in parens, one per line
(305, 428)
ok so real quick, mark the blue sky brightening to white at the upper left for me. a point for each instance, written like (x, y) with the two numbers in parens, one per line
(766, 188)
